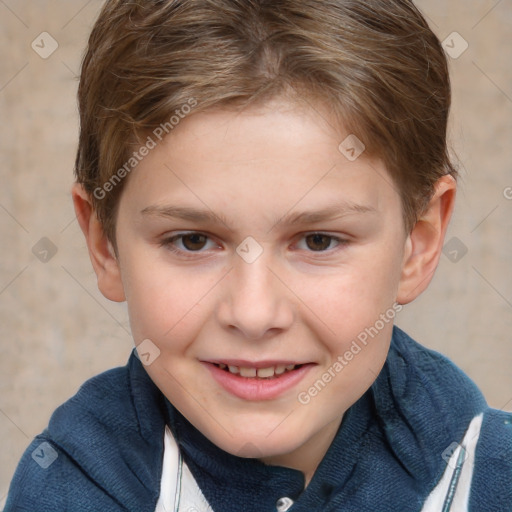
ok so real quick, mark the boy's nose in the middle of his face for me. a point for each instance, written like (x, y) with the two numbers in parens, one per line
(256, 302)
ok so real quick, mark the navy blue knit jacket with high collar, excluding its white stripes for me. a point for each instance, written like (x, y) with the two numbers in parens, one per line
(104, 448)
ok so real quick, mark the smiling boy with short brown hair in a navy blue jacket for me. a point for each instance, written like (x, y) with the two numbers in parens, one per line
(266, 183)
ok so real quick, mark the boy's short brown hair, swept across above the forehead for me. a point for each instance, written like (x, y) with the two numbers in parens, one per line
(375, 63)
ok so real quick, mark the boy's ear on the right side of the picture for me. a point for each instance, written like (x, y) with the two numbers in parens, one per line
(425, 242)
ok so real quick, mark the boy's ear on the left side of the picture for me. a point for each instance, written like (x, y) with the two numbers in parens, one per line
(101, 252)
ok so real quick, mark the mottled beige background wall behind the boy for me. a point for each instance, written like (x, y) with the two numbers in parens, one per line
(57, 330)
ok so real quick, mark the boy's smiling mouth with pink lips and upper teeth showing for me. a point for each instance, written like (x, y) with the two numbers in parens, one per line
(255, 381)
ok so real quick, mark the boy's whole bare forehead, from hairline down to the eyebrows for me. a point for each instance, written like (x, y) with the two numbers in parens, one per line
(273, 156)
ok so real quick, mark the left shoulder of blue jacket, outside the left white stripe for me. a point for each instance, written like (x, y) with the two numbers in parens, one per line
(102, 449)
